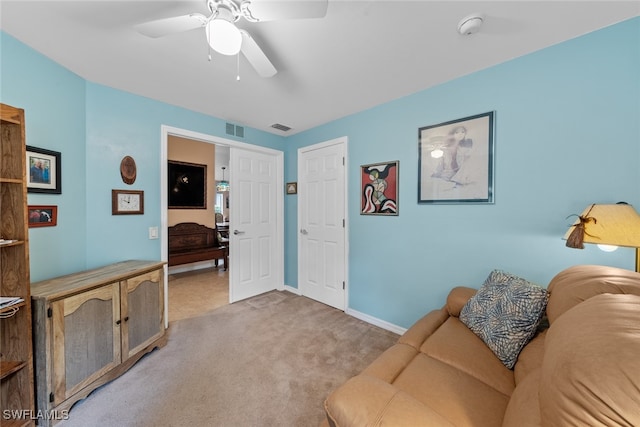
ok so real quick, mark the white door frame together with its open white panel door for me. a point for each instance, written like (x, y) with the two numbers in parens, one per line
(256, 247)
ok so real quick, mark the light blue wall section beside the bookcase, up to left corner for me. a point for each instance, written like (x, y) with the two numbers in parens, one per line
(54, 102)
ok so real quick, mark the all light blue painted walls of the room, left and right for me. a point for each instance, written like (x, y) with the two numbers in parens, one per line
(567, 134)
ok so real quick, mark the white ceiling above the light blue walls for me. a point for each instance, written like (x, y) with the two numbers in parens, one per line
(363, 53)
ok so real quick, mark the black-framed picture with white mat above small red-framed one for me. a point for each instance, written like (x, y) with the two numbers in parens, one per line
(43, 171)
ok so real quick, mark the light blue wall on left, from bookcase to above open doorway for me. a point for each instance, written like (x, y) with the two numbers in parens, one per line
(94, 126)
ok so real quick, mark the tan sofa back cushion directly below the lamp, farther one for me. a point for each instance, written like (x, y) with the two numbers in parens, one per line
(581, 282)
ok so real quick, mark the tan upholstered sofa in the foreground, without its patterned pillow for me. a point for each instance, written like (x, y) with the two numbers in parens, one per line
(584, 370)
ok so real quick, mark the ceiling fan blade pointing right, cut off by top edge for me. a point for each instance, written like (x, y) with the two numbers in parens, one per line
(271, 10)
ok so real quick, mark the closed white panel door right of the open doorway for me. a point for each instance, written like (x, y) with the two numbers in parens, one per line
(321, 221)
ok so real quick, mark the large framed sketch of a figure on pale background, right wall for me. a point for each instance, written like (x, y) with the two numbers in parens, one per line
(455, 161)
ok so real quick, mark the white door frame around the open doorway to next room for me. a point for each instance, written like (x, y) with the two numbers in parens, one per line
(165, 132)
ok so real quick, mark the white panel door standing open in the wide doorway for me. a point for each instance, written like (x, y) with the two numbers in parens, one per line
(253, 224)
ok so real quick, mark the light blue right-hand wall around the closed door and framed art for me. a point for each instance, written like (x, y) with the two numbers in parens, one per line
(567, 135)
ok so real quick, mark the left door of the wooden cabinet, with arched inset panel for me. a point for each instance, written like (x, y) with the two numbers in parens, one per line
(86, 339)
